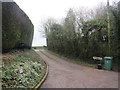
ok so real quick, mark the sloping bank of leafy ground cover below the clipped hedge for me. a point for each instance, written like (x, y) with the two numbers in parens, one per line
(22, 69)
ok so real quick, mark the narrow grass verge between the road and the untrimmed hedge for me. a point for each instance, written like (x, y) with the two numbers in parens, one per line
(89, 63)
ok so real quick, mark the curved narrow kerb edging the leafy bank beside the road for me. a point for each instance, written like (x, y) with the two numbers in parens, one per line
(45, 76)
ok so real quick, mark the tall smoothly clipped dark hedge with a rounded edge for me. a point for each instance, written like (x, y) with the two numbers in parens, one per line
(17, 29)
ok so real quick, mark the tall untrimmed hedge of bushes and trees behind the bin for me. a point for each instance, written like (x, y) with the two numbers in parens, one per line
(89, 39)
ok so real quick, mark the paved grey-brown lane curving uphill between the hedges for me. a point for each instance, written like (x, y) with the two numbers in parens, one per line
(63, 74)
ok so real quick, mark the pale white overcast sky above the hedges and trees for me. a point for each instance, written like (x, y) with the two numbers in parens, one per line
(40, 10)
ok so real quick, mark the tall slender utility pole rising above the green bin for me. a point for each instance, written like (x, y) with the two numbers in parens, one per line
(108, 18)
